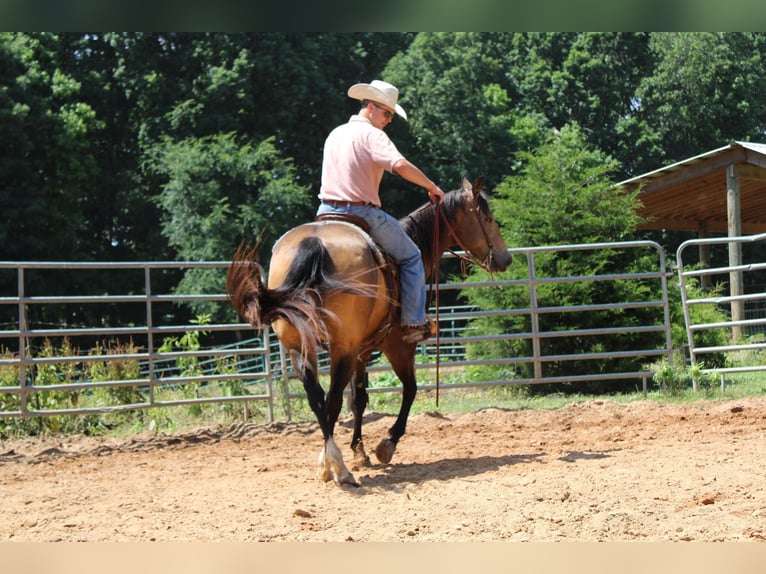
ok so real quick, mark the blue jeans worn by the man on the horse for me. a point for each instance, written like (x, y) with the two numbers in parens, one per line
(387, 232)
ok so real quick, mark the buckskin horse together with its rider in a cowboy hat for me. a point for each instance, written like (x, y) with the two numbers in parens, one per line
(328, 286)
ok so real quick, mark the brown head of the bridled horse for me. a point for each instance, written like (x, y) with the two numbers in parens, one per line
(475, 230)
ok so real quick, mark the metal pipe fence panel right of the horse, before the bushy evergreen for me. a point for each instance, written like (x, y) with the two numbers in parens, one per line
(632, 330)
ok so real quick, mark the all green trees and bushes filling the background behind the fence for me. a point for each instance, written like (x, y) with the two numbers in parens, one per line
(217, 135)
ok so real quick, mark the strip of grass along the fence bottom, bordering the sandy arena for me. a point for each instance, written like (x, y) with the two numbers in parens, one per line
(384, 398)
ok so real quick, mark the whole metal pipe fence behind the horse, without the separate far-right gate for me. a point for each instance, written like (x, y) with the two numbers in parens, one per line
(535, 340)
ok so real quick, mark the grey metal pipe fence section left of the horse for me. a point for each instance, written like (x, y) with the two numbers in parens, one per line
(140, 370)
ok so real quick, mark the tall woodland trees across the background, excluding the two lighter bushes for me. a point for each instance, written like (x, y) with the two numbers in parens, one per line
(83, 113)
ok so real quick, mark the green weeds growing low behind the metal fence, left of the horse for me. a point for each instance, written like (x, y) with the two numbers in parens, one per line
(108, 363)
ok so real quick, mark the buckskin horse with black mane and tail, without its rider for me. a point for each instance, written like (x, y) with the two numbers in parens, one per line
(329, 285)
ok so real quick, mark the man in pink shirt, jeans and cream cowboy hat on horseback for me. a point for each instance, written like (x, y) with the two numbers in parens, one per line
(355, 155)
